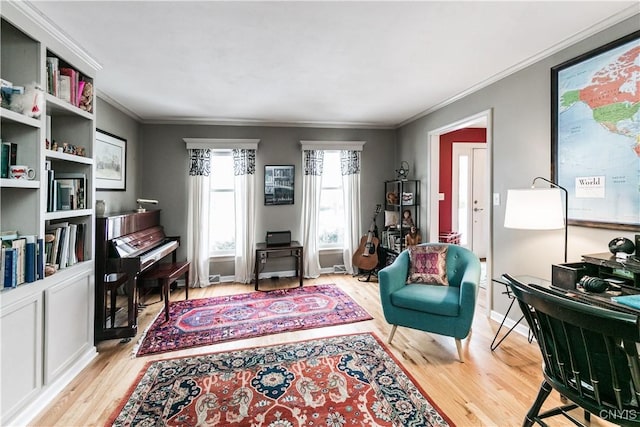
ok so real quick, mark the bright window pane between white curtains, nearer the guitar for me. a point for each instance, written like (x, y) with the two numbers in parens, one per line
(331, 217)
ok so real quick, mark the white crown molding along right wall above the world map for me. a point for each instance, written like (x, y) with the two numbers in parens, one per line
(602, 25)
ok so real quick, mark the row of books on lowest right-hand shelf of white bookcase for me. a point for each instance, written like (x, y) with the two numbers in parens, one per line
(64, 244)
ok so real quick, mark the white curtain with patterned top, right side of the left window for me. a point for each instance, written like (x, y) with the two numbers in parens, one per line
(244, 167)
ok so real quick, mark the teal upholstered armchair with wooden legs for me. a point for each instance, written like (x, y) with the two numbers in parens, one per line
(443, 310)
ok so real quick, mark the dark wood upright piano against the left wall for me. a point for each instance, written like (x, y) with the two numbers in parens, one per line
(127, 244)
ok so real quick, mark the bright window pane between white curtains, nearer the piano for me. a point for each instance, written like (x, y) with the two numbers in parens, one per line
(222, 218)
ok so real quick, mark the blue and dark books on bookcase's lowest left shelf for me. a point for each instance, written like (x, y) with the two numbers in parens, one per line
(21, 259)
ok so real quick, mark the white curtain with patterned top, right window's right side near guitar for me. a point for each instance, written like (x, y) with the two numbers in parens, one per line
(350, 168)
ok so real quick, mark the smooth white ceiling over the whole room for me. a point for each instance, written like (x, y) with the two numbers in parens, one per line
(374, 64)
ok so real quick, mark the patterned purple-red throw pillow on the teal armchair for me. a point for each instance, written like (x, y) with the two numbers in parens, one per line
(428, 264)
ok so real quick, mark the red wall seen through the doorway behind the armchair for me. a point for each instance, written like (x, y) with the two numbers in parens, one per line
(446, 160)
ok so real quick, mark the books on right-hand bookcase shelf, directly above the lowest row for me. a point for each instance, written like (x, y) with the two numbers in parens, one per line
(66, 191)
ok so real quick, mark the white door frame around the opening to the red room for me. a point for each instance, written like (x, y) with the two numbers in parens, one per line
(485, 119)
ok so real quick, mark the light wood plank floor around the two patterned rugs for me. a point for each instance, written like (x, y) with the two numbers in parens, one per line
(489, 389)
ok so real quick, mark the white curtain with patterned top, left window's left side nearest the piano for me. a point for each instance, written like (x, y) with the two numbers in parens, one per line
(198, 216)
